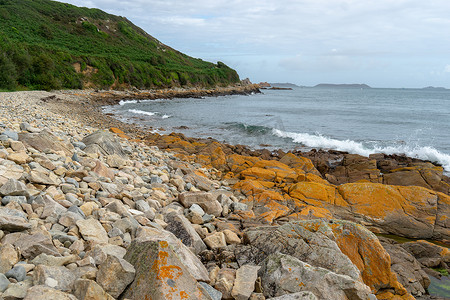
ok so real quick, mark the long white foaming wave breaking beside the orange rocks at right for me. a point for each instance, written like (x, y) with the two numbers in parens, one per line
(320, 141)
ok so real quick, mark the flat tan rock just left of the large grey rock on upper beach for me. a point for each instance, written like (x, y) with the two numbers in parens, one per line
(43, 141)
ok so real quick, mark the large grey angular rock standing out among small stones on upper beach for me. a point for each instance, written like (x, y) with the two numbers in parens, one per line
(104, 142)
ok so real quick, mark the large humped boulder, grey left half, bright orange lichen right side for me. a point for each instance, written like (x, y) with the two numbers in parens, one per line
(342, 247)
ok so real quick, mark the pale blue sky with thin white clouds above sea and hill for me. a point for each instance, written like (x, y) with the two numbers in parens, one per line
(383, 43)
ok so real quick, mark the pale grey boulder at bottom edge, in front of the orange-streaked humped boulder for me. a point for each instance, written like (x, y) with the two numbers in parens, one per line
(283, 274)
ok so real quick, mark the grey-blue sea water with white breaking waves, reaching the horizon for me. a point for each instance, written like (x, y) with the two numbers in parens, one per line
(415, 122)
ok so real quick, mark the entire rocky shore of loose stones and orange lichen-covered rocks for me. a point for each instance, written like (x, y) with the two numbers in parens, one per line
(92, 208)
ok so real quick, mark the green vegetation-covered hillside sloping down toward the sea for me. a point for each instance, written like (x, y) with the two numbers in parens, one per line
(51, 45)
